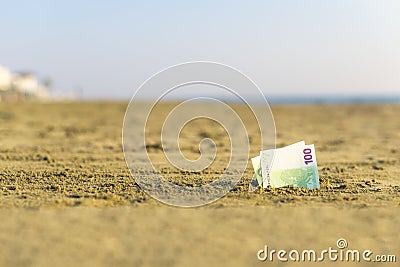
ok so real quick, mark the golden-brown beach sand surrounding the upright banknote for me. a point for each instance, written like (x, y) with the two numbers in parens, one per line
(67, 197)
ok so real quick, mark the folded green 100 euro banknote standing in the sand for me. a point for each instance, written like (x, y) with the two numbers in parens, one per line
(291, 165)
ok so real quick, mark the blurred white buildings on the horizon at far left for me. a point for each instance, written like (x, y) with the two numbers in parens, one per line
(22, 85)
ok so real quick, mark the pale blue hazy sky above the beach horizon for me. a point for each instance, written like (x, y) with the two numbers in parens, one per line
(107, 49)
